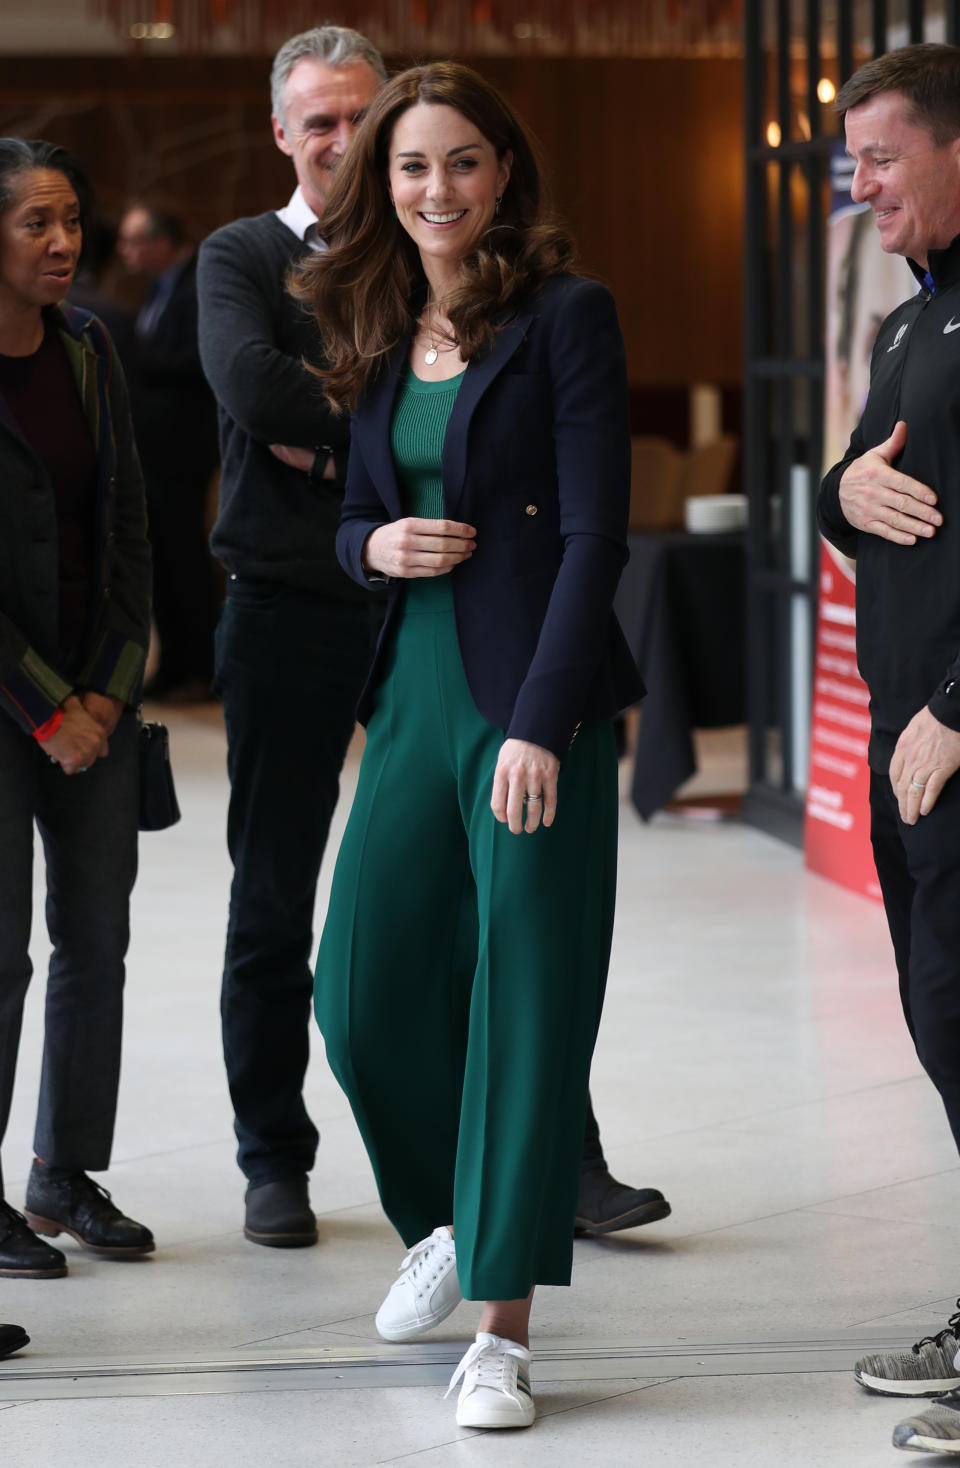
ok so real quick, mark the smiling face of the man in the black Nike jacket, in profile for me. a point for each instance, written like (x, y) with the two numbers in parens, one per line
(911, 183)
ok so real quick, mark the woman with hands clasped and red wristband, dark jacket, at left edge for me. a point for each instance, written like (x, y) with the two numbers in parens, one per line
(74, 626)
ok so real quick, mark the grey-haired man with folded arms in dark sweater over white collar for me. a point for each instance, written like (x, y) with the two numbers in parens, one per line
(296, 636)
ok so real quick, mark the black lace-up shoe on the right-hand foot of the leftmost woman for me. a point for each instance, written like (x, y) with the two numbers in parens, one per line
(64, 1202)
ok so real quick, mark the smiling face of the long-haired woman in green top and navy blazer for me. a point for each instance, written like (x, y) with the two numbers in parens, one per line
(446, 180)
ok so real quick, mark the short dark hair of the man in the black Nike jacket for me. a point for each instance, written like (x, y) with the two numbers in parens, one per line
(928, 76)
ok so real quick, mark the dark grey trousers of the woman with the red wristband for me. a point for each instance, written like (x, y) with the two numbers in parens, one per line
(87, 824)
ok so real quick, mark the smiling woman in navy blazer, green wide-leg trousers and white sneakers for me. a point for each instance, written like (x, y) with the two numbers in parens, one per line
(465, 956)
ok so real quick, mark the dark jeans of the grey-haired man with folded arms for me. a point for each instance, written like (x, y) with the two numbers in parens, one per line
(290, 667)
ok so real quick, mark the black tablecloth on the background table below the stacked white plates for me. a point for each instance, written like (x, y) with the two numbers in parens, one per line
(682, 607)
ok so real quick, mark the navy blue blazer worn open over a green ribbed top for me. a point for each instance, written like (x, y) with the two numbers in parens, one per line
(537, 457)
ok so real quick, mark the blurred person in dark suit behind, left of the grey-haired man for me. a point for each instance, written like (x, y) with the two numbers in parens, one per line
(177, 438)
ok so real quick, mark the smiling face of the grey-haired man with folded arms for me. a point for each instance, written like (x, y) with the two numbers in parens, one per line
(322, 109)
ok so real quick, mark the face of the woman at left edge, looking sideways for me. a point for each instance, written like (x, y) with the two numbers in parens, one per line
(40, 241)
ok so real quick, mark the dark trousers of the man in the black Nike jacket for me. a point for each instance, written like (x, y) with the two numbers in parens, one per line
(920, 874)
